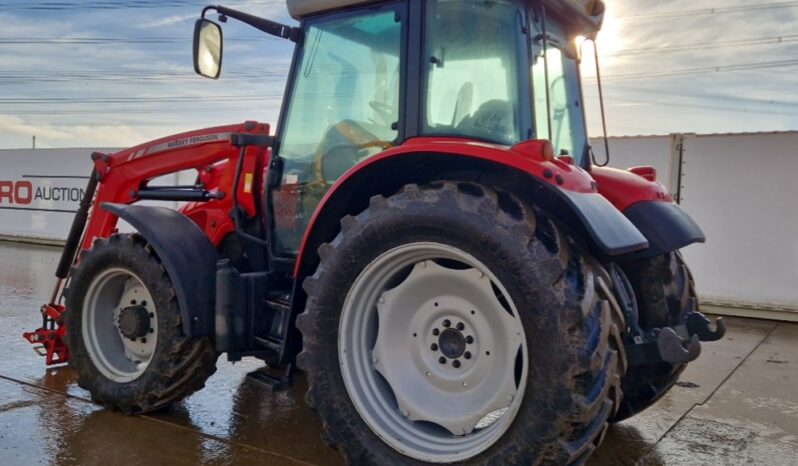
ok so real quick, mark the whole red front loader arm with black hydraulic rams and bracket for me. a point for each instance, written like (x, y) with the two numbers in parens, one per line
(123, 178)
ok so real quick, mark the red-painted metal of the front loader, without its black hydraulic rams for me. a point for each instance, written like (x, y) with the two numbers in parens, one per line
(125, 172)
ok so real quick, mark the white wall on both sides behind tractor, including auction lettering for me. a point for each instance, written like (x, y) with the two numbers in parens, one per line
(739, 187)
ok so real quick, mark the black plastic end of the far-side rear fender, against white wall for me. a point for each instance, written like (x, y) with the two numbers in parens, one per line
(666, 226)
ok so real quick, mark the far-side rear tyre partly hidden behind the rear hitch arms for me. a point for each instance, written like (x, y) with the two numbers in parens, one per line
(664, 290)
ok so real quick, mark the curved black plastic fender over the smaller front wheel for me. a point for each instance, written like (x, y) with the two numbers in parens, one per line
(188, 256)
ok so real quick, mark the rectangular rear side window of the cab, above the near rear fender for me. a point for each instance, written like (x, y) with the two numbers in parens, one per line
(472, 79)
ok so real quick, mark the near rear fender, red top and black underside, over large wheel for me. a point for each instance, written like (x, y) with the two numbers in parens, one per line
(564, 190)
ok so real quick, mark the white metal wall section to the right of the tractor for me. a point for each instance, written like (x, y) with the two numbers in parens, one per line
(741, 189)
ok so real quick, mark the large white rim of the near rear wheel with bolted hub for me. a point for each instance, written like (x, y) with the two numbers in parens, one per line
(407, 372)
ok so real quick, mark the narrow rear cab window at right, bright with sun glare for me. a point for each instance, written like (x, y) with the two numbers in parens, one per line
(556, 92)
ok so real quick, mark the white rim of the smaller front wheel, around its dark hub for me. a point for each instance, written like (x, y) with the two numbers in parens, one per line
(117, 357)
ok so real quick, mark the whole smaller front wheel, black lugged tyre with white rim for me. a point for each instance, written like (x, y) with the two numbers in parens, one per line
(124, 329)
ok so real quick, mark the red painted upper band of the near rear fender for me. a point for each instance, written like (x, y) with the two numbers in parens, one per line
(527, 157)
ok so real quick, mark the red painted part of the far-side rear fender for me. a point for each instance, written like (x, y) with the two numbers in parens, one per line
(624, 188)
